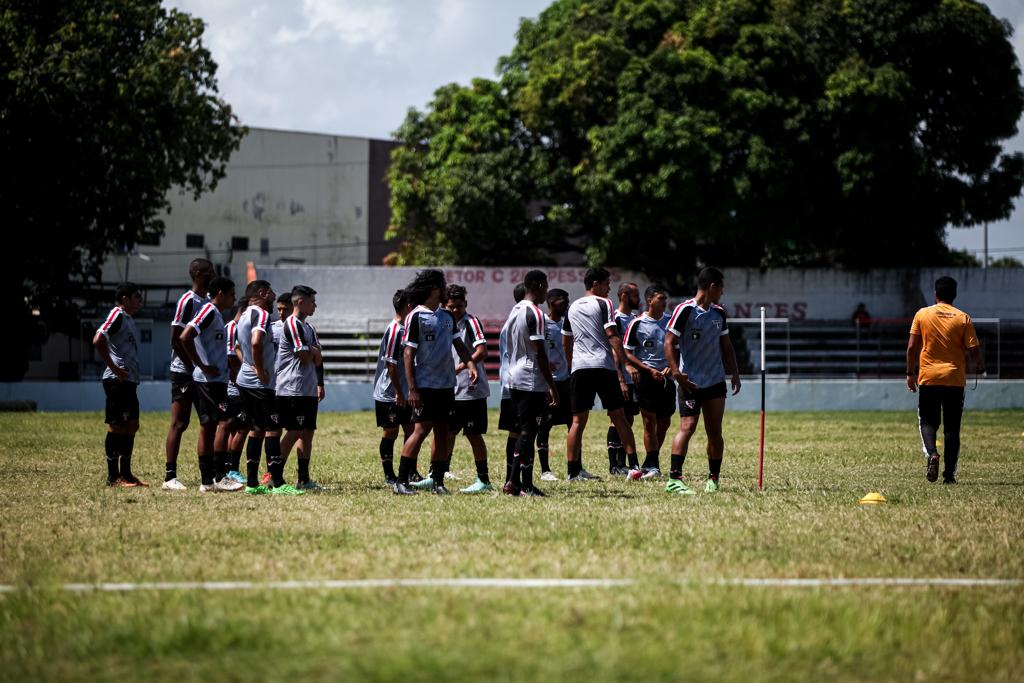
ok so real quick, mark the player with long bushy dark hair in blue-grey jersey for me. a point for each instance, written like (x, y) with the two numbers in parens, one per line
(431, 376)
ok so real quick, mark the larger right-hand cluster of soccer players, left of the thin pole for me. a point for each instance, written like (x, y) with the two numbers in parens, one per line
(553, 366)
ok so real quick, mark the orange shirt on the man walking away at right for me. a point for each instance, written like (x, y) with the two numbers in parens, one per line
(947, 334)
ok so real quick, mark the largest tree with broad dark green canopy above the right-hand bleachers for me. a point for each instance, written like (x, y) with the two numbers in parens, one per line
(668, 134)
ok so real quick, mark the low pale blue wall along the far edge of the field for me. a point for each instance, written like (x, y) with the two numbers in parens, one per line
(810, 396)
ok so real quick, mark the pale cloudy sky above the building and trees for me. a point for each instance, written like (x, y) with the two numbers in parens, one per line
(355, 67)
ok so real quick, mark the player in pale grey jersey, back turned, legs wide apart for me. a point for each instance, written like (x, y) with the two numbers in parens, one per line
(594, 353)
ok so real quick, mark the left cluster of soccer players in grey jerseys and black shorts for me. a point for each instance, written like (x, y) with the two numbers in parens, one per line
(254, 385)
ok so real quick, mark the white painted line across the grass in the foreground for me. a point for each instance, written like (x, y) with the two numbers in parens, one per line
(511, 583)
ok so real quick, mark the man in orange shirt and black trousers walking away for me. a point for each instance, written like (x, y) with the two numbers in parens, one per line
(935, 369)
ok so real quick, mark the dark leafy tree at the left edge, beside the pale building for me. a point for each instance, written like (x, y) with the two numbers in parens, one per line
(105, 106)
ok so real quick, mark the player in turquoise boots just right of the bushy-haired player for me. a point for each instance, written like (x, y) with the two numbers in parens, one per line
(471, 415)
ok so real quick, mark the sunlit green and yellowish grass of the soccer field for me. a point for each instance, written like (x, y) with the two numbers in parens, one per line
(62, 526)
